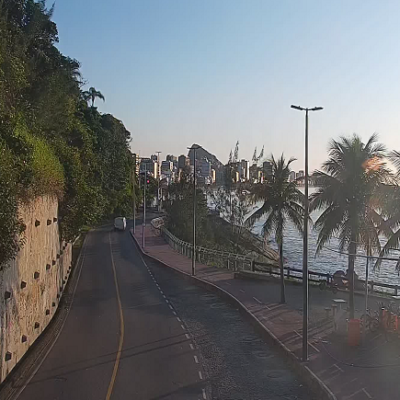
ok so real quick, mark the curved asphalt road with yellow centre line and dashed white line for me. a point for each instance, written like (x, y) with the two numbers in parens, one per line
(137, 331)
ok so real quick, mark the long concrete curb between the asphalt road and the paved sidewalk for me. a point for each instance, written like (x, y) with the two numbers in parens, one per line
(316, 385)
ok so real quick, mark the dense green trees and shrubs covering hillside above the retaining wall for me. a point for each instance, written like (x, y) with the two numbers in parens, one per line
(51, 141)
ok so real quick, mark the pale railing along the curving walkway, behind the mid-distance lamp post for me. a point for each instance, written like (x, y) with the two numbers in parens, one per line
(214, 258)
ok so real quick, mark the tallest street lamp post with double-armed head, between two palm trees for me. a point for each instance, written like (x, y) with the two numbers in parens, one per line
(305, 236)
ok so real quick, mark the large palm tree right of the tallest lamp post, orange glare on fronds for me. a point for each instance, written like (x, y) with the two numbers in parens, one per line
(349, 184)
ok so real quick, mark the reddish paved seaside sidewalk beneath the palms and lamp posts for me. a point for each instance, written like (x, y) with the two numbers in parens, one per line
(369, 372)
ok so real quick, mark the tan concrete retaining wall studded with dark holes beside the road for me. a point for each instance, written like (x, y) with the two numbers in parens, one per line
(32, 284)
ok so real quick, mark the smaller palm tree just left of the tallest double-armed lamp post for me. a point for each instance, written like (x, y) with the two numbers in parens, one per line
(282, 201)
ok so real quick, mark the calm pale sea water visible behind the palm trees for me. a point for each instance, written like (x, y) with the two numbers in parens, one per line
(327, 260)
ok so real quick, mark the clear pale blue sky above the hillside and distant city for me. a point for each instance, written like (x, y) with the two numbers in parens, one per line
(216, 71)
